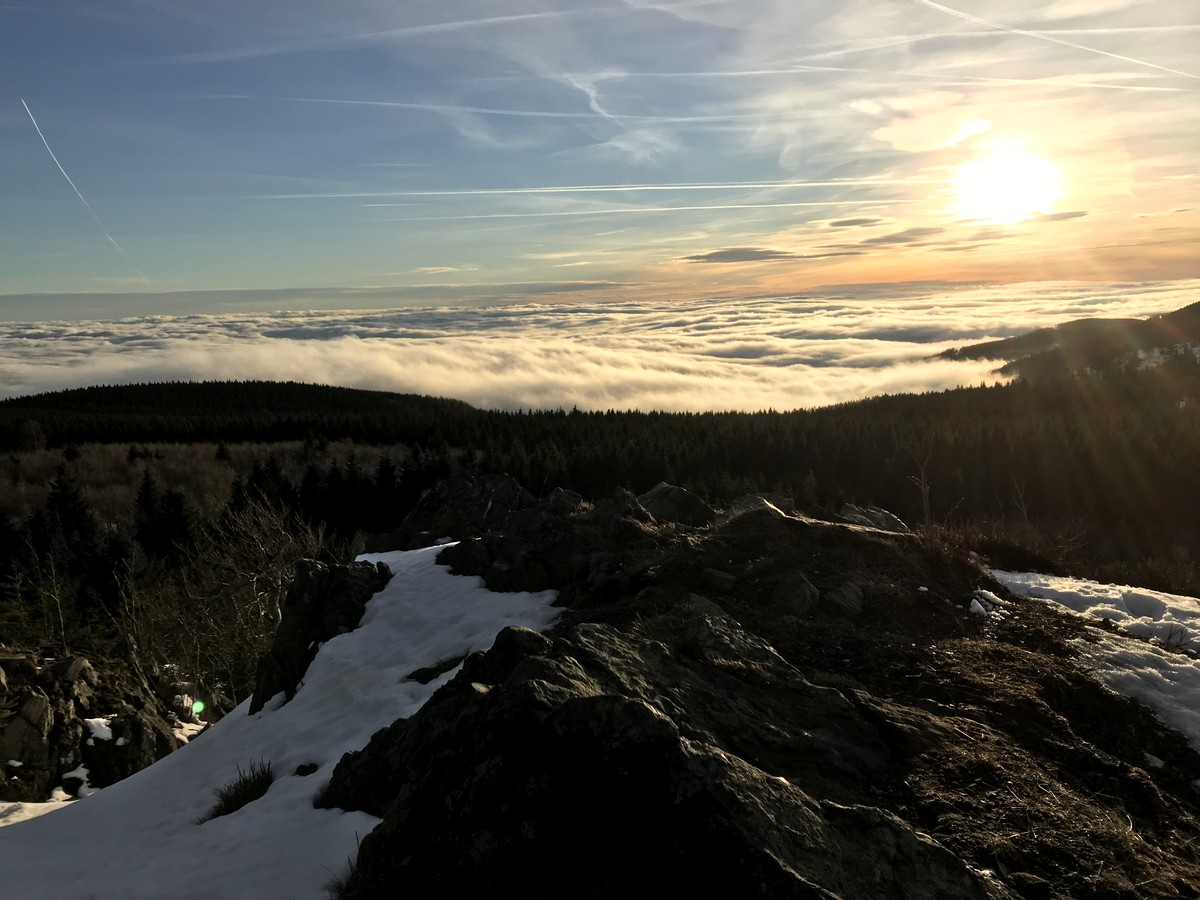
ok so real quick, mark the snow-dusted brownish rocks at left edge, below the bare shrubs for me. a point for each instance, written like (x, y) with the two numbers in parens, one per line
(58, 716)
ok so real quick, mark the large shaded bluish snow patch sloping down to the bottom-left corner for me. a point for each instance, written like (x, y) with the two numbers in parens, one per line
(141, 839)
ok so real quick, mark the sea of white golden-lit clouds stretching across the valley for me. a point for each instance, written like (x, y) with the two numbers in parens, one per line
(748, 355)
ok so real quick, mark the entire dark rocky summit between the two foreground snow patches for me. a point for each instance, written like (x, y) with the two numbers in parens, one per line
(759, 704)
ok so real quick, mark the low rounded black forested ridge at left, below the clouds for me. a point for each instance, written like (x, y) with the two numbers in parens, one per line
(220, 411)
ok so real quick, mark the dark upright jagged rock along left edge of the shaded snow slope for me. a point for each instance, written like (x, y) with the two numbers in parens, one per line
(322, 603)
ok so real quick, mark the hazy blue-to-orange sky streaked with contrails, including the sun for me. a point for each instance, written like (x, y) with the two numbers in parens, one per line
(238, 158)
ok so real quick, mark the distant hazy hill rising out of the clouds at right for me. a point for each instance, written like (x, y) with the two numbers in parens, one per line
(1096, 346)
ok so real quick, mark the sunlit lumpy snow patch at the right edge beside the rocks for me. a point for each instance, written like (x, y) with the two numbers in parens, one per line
(1160, 670)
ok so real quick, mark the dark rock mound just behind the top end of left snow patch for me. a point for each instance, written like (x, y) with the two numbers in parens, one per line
(464, 507)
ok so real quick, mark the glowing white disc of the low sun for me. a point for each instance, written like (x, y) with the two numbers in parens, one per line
(1009, 185)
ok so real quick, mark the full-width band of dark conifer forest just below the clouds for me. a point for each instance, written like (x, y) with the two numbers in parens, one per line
(1112, 451)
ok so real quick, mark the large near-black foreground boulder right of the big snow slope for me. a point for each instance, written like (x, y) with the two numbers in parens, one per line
(683, 758)
